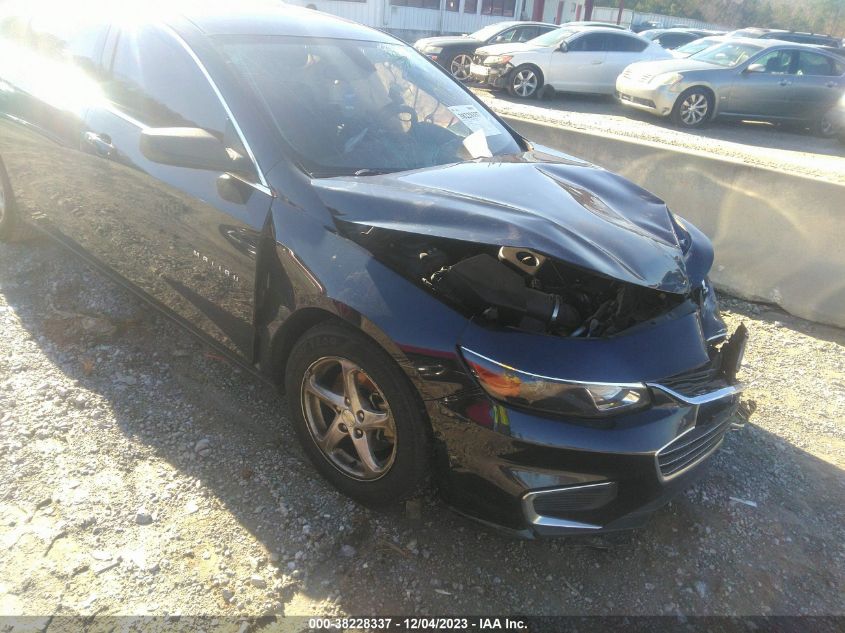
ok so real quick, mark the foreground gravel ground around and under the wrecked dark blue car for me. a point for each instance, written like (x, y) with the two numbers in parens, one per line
(142, 474)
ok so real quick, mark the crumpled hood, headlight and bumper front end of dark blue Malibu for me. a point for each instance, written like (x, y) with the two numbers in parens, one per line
(598, 372)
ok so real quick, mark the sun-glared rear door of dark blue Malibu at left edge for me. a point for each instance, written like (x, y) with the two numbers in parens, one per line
(49, 77)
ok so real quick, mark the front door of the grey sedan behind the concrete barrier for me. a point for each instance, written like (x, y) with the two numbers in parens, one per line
(767, 94)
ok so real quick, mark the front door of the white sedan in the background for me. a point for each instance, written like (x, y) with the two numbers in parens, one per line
(579, 68)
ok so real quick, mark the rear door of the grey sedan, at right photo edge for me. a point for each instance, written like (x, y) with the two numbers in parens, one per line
(819, 83)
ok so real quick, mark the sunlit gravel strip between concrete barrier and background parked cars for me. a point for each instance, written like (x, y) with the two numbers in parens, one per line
(777, 147)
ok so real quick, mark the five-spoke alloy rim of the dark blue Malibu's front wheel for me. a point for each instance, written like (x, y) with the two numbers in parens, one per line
(348, 418)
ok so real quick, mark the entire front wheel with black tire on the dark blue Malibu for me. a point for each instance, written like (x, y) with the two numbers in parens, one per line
(327, 364)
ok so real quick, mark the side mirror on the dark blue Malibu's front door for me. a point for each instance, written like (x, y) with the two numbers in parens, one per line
(186, 147)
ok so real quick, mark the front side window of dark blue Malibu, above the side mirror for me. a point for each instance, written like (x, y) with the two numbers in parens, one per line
(155, 80)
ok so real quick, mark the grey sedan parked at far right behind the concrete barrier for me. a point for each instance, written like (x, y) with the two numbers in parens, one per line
(750, 79)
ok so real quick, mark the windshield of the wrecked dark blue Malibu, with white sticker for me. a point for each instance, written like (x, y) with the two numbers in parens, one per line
(348, 107)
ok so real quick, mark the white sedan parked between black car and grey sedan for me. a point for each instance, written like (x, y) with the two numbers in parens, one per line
(569, 59)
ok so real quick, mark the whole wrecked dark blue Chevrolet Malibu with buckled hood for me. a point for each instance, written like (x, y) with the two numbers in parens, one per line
(358, 230)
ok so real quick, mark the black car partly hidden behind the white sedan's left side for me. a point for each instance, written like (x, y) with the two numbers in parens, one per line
(454, 52)
